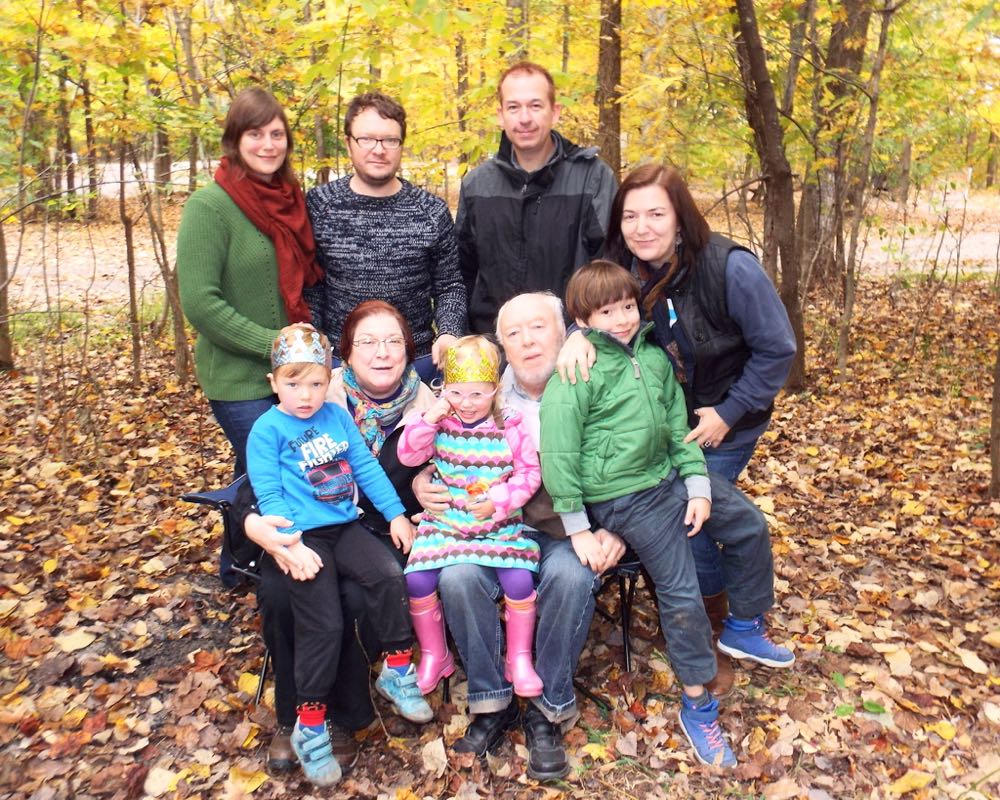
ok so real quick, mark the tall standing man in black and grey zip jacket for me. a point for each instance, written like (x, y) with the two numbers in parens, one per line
(538, 210)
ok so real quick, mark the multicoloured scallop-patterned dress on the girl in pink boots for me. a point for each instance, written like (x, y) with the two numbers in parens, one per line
(468, 461)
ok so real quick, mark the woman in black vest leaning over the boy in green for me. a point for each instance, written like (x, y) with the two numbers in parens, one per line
(719, 318)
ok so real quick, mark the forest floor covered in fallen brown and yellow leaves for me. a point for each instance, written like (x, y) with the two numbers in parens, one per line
(128, 672)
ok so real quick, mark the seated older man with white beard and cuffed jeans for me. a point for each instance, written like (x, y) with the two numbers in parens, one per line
(531, 329)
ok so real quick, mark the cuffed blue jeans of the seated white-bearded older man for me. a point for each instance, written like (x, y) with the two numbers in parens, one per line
(565, 590)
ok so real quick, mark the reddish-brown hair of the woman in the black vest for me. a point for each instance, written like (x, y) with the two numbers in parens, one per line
(691, 225)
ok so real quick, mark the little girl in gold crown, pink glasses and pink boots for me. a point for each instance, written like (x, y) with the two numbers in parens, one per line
(491, 469)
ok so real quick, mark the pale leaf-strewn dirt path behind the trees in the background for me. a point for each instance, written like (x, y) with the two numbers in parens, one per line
(72, 264)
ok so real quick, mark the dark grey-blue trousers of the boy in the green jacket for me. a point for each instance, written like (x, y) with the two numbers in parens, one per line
(652, 522)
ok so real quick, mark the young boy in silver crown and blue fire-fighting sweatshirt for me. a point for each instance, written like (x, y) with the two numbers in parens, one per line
(305, 460)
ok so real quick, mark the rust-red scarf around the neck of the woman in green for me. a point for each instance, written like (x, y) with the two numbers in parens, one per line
(278, 210)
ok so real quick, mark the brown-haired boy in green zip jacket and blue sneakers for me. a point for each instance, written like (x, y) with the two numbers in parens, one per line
(616, 444)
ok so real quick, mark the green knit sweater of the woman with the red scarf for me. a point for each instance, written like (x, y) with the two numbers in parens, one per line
(228, 275)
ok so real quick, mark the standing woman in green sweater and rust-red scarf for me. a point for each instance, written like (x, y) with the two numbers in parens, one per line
(245, 252)
